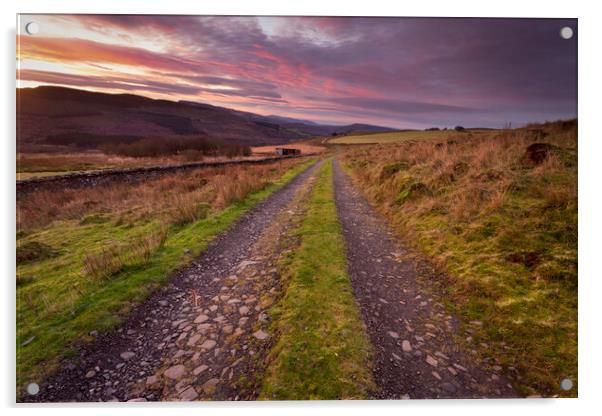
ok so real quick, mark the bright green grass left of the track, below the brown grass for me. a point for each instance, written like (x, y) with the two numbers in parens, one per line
(58, 304)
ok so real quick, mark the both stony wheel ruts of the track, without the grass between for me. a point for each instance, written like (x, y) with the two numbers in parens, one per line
(205, 335)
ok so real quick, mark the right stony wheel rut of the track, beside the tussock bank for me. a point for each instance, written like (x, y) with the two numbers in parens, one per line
(415, 353)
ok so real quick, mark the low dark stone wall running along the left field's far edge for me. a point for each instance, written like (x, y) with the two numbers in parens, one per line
(107, 176)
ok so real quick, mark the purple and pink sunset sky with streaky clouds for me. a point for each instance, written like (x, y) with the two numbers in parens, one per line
(398, 72)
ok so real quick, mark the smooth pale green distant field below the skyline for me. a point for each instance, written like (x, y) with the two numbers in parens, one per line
(401, 137)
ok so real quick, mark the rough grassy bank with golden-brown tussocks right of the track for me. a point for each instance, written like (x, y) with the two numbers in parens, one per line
(503, 227)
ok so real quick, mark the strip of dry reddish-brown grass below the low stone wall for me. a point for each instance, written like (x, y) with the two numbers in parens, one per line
(178, 198)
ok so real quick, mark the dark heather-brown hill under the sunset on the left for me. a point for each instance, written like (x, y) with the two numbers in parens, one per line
(57, 118)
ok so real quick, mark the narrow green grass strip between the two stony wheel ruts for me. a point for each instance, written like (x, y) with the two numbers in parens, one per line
(323, 351)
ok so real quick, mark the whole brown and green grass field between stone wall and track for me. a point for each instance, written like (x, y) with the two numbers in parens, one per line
(85, 257)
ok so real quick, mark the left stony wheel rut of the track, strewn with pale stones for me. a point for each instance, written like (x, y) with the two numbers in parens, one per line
(202, 337)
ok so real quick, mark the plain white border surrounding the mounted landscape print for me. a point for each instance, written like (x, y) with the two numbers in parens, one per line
(590, 141)
